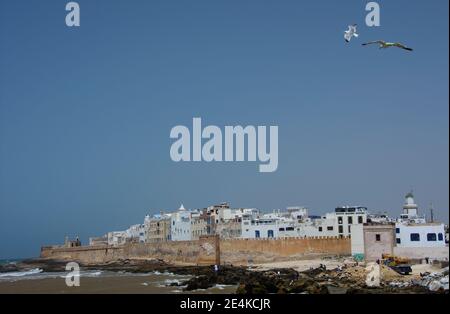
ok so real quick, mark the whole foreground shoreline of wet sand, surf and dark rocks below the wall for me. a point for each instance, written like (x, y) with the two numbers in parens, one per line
(318, 276)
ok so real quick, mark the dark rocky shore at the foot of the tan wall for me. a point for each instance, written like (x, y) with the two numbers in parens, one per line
(342, 280)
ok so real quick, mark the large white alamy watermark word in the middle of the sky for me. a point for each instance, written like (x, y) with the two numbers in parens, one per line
(209, 144)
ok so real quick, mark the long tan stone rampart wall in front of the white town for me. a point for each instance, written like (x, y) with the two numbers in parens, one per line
(208, 250)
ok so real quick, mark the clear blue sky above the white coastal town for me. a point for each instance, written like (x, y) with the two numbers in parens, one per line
(85, 113)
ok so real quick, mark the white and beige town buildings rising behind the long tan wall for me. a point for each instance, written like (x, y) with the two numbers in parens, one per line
(231, 222)
